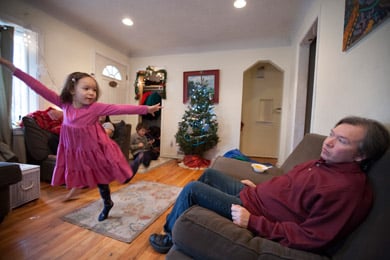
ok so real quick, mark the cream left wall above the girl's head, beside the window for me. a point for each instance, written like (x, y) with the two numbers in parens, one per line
(62, 49)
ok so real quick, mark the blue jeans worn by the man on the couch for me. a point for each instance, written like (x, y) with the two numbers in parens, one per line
(214, 191)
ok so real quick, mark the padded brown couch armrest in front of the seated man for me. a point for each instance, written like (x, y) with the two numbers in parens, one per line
(203, 234)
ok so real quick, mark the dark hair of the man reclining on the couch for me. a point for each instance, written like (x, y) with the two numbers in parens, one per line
(376, 141)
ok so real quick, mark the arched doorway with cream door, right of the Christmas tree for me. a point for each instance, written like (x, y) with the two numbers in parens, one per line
(261, 110)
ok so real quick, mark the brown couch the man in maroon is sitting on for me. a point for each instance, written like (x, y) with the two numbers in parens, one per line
(203, 234)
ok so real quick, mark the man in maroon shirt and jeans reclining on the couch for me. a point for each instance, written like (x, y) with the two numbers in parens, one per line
(311, 207)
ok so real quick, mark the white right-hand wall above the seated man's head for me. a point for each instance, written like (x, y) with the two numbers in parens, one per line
(355, 82)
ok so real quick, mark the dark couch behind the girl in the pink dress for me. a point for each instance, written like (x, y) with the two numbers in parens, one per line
(39, 149)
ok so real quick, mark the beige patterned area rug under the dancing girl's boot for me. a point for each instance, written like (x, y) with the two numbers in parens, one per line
(135, 207)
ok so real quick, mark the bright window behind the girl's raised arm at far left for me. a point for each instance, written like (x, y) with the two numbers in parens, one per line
(24, 100)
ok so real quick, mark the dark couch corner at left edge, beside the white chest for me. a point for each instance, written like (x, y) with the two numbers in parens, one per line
(10, 173)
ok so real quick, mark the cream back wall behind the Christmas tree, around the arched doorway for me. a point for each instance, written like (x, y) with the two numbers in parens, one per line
(232, 65)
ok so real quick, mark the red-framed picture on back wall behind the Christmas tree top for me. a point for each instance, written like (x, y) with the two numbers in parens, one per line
(205, 78)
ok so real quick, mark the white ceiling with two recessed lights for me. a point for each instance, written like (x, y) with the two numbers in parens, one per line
(181, 26)
